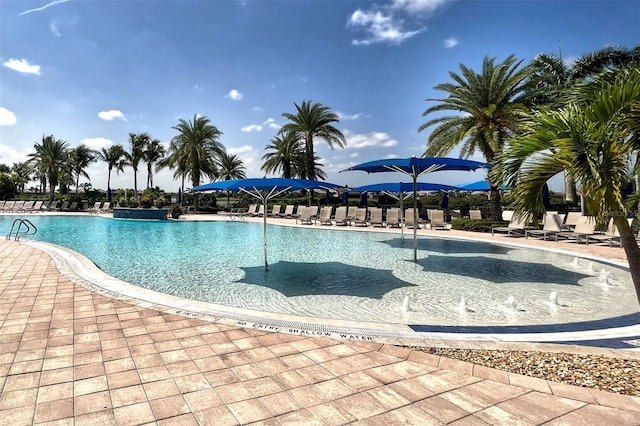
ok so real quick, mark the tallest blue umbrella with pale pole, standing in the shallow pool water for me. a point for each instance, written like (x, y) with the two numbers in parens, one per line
(416, 167)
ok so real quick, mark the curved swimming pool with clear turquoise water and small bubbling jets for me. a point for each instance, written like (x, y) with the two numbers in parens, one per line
(360, 276)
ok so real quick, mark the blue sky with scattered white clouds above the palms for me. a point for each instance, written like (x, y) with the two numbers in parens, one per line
(93, 71)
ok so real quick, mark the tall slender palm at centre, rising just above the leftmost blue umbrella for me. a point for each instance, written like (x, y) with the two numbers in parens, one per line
(313, 120)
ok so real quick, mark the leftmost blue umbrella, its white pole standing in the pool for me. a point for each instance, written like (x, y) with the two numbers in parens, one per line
(264, 189)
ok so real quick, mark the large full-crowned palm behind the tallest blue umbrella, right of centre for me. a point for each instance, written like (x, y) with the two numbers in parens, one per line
(488, 111)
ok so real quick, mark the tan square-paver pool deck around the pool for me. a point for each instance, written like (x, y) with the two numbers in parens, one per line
(73, 355)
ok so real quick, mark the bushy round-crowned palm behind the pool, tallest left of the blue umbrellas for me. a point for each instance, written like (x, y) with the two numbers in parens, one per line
(196, 148)
